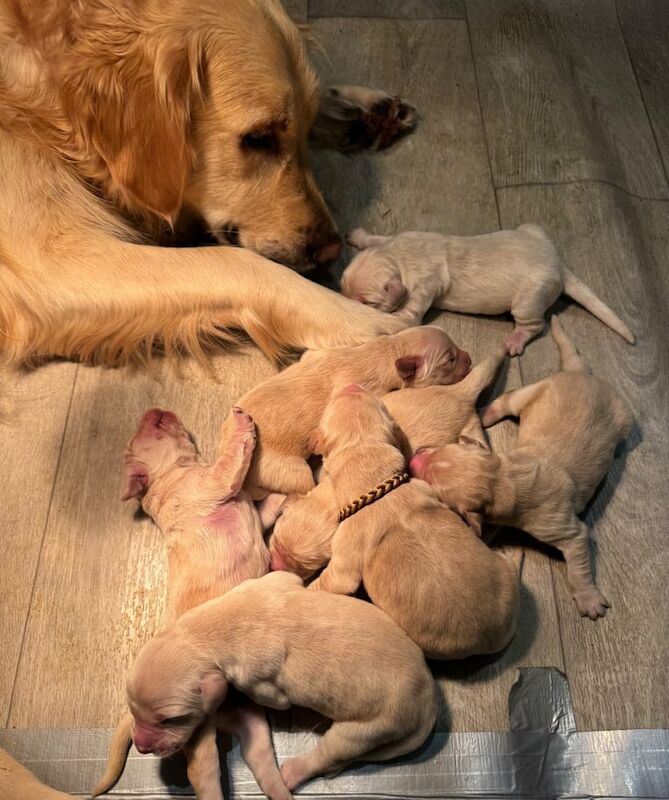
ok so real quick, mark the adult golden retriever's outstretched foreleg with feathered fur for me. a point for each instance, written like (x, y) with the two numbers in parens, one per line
(116, 301)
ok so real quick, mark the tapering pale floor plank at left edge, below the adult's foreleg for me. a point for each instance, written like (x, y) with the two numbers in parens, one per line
(30, 445)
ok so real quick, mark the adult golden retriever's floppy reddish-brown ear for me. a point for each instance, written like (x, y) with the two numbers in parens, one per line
(132, 113)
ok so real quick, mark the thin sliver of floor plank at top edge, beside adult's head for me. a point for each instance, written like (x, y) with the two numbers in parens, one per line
(399, 9)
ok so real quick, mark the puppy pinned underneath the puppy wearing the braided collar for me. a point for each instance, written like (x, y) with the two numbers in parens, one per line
(428, 417)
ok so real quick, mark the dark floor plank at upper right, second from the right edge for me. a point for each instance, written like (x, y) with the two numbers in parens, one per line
(559, 97)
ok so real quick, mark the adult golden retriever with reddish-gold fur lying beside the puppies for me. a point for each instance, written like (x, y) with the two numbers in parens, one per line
(118, 117)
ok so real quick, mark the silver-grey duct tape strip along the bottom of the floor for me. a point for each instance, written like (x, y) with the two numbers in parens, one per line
(542, 757)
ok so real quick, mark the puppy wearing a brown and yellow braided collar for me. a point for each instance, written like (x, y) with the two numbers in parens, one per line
(418, 560)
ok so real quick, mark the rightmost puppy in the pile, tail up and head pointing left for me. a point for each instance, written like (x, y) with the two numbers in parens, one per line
(570, 424)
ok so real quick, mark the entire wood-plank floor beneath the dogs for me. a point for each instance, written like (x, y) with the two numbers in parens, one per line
(549, 111)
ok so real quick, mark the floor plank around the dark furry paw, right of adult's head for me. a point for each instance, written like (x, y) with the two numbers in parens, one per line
(437, 178)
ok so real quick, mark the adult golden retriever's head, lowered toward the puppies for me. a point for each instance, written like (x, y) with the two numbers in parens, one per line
(197, 104)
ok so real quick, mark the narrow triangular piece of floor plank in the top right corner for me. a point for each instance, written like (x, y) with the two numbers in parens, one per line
(645, 26)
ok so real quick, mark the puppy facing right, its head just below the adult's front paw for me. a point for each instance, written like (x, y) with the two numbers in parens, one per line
(287, 407)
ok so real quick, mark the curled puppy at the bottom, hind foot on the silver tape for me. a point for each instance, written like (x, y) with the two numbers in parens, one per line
(284, 646)
